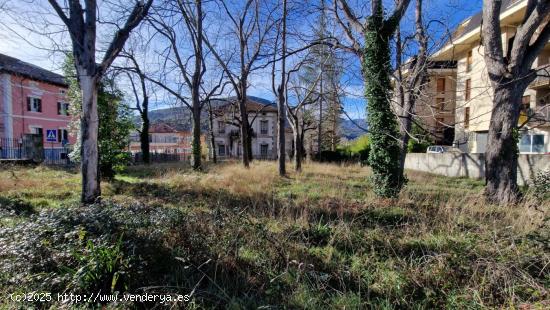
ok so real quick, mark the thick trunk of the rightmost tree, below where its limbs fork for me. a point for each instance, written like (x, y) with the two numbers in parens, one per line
(501, 154)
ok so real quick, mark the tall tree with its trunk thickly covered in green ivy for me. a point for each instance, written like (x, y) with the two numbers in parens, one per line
(377, 31)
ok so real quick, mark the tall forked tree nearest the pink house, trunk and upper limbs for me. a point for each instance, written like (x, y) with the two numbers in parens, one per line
(81, 23)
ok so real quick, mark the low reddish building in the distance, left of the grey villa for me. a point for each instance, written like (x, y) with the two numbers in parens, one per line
(164, 139)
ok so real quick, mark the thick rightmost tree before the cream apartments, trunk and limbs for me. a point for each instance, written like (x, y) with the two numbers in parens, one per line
(510, 73)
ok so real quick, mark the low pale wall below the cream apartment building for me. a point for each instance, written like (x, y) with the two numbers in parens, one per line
(472, 165)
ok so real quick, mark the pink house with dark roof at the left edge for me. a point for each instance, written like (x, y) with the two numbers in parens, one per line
(32, 100)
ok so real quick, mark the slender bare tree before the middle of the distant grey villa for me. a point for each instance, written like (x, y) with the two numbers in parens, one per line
(251, 26)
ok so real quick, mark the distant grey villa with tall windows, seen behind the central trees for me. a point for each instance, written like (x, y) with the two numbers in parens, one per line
(262, 116)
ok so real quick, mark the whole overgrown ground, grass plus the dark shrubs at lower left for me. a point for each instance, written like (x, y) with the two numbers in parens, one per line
(235, 238)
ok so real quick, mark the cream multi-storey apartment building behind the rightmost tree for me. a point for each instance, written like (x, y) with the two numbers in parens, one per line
(473, 99)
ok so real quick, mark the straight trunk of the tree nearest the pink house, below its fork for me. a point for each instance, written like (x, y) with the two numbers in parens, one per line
(89, 127)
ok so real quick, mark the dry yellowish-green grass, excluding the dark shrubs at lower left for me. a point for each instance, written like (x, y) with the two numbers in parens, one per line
(321, 238)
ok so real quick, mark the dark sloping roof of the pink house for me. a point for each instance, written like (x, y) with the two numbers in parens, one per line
(18, 67)
